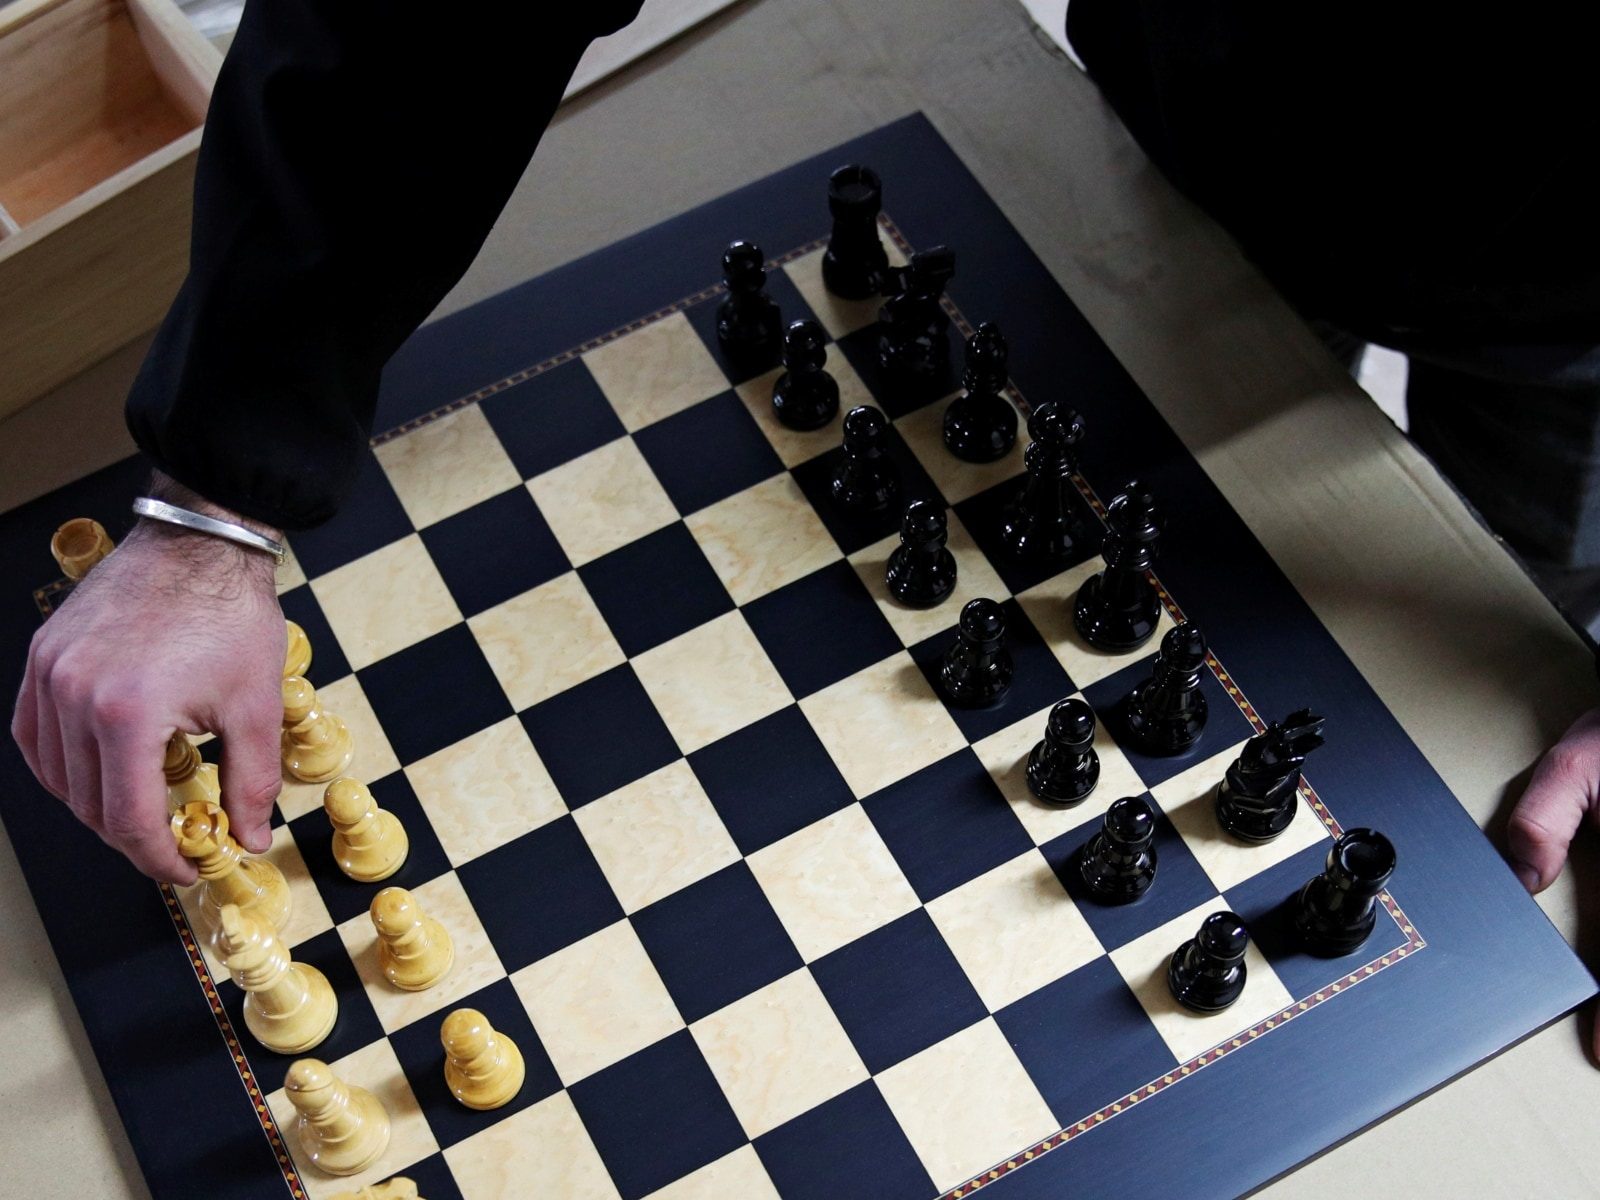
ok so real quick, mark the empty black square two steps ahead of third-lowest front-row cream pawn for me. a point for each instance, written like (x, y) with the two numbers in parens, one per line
(601, 735)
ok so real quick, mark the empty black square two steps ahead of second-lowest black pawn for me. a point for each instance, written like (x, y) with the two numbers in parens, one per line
(898, 991)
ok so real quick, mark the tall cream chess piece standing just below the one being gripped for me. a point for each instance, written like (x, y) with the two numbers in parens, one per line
(290, 1007)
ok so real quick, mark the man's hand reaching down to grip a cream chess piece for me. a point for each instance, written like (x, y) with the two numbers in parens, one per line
(172, 631)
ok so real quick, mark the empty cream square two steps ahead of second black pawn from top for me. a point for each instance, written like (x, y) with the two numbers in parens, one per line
(602, 502)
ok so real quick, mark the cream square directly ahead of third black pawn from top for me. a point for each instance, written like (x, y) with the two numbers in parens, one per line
(762, 538)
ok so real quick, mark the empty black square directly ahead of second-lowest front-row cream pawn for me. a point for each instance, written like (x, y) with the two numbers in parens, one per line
(540, 894)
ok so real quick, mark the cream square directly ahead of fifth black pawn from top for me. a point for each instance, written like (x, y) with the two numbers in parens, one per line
(882, 724)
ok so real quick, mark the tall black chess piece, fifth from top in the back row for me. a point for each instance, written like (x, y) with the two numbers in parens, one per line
(1118, 609)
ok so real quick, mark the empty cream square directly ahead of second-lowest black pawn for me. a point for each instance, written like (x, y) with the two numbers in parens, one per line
(1014, 930)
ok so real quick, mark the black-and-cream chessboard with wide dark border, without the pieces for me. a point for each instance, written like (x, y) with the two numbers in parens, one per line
(767, 916)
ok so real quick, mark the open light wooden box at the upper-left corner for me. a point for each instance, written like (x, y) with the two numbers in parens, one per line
(102, 105)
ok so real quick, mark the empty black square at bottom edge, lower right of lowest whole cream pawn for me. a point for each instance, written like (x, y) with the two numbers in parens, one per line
(657, 1116)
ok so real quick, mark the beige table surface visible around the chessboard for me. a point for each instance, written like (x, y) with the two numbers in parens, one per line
(1460, 646)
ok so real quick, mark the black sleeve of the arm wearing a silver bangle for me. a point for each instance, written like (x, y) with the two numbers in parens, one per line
(356, 158)
